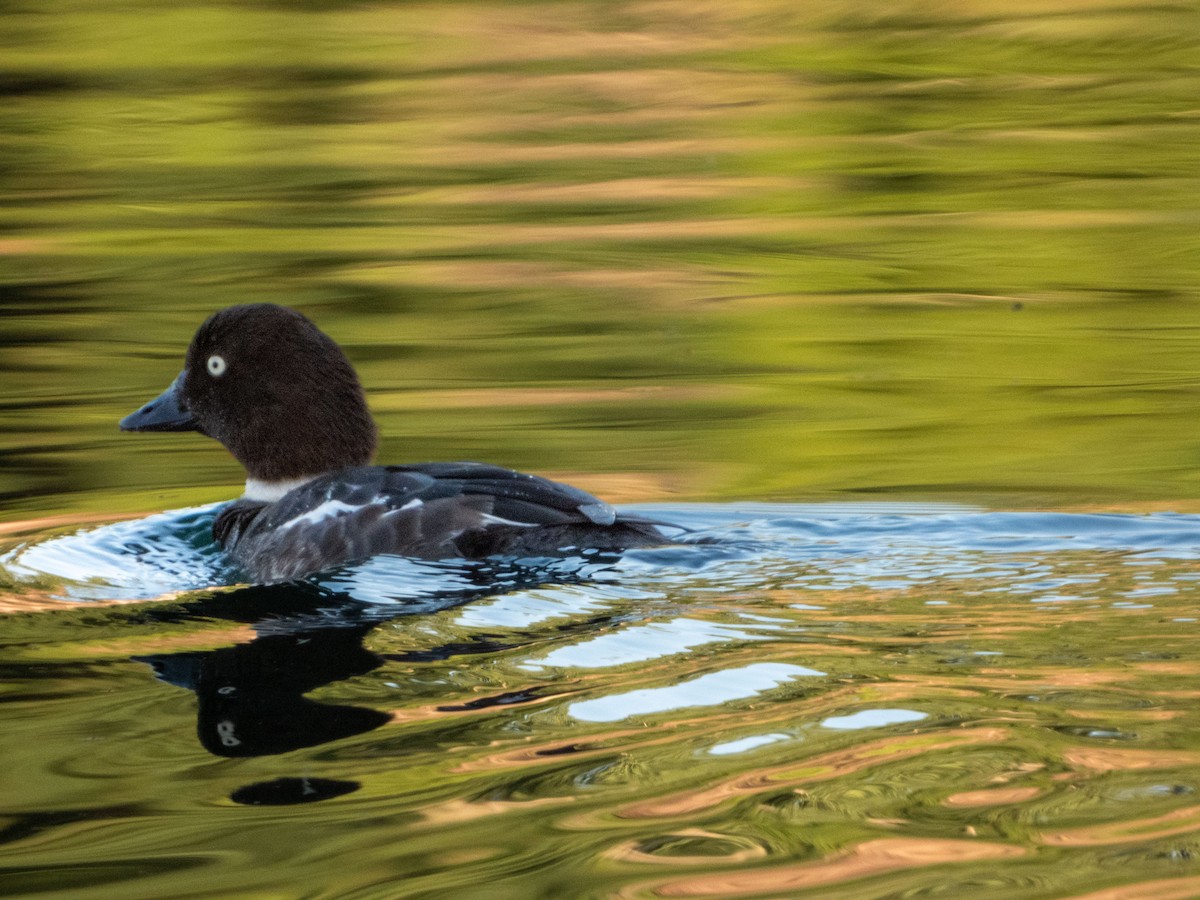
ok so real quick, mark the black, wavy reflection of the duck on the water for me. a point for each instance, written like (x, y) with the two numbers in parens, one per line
(251, 697)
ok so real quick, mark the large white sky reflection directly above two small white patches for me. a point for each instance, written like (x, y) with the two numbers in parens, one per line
(707, 691)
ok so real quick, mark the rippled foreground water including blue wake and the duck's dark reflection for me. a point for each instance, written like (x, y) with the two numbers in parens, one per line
(848, 698)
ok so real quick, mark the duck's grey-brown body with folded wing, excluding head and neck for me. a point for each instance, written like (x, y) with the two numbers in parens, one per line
(431, 512)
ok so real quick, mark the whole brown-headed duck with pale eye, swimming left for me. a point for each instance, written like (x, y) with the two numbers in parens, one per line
(286, 403)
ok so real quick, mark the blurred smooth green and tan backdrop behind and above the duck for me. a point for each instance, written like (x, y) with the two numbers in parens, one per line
(740, 250)
